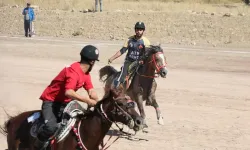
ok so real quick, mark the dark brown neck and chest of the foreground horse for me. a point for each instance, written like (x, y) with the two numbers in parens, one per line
(94, 128)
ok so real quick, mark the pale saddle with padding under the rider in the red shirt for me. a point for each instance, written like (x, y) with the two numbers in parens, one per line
(69, 118)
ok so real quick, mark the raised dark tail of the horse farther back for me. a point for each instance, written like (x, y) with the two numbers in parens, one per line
(106, 72)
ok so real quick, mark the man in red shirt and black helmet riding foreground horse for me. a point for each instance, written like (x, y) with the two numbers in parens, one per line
(63, 89)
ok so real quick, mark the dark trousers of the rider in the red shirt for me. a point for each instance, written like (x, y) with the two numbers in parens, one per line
(52, 113)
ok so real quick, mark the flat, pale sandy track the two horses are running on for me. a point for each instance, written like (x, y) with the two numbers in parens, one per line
(204, 99)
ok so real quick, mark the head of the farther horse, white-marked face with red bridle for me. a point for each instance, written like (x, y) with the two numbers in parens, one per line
(155, 56)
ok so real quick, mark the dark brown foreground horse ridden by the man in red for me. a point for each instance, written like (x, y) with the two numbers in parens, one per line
(89, 130)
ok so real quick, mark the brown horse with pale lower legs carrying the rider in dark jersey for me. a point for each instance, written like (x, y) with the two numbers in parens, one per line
(143, 85)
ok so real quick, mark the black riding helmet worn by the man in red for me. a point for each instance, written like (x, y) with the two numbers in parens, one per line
(89, 53)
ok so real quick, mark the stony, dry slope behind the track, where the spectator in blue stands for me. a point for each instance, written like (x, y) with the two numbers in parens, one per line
(173, 23)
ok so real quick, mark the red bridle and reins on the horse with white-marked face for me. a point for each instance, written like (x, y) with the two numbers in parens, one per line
(153, 62)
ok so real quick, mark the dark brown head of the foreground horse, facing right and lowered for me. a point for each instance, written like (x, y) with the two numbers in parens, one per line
(118, 107)
